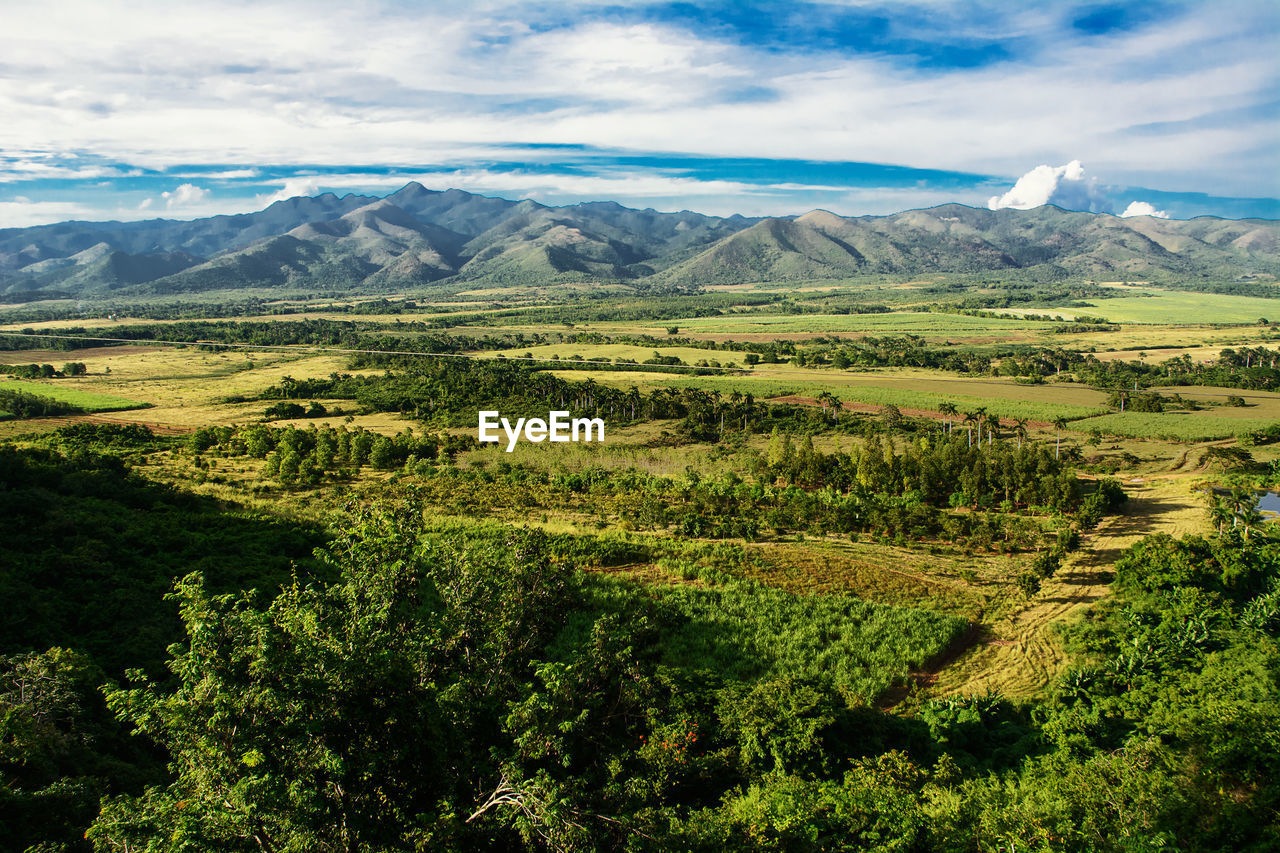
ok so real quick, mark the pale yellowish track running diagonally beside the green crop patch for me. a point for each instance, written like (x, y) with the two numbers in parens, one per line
(1022, 654)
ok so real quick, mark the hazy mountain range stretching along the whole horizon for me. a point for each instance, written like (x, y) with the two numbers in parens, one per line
(417, 238)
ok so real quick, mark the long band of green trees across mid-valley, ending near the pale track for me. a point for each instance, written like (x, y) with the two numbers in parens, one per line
(979, 499)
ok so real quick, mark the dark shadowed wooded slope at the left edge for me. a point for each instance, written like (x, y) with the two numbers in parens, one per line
(92, 550)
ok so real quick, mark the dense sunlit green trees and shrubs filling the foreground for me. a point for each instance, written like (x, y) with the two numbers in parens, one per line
(474, 691)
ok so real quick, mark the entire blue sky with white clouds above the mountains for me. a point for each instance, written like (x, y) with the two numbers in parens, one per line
(141, 110)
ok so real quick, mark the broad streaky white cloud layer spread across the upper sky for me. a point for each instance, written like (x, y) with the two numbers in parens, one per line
(271, 83)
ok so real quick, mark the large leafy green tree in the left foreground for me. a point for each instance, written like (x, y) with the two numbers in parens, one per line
(354, 717)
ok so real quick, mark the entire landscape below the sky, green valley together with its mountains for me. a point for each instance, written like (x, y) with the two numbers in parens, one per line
(861, 499)
